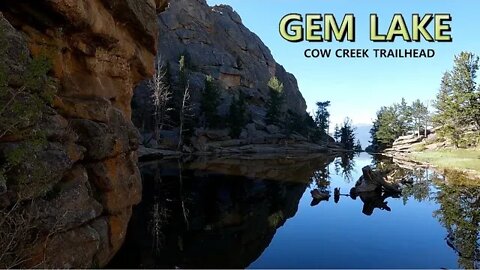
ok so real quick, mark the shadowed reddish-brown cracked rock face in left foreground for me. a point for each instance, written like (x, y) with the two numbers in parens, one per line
(100, 49)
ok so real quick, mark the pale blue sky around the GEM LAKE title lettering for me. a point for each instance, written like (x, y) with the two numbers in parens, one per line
(357, 88)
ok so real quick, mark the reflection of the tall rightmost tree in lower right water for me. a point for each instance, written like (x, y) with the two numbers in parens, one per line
(459, 213)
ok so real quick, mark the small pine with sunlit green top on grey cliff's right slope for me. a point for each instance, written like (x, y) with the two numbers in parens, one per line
(274, 104)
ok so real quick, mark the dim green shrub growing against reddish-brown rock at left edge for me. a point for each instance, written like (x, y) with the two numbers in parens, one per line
(21, 109)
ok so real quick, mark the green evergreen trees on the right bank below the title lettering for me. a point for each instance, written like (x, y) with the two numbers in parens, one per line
(457, 110)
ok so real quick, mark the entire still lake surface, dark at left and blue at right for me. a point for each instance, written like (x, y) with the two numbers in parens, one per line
(245, 213)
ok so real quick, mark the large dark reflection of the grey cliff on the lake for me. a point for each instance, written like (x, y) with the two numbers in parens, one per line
(217, 214)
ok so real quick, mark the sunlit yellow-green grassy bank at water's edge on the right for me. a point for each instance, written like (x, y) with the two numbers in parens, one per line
(454, 159)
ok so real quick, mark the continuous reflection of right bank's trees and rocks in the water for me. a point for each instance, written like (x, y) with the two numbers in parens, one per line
(459, 205)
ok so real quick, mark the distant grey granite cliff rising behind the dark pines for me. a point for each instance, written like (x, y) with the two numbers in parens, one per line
(216, 43)
